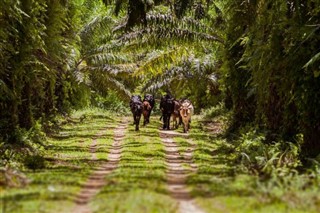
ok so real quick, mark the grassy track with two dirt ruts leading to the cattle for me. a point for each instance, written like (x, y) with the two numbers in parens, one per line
(97, 163)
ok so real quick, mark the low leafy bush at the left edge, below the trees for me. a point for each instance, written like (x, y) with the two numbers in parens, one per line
(22, 149)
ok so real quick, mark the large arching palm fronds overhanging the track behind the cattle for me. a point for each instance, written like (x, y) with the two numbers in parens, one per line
(142, 53)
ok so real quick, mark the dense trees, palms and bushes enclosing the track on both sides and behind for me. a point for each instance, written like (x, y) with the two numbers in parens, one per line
(257, 62)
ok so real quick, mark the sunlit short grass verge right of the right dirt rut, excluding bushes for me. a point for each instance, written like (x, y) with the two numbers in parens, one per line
(219, 186)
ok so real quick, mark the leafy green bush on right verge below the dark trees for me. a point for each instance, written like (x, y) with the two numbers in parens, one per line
(263, 159)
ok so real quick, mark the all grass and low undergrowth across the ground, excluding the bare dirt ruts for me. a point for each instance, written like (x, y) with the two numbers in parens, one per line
(241, 174)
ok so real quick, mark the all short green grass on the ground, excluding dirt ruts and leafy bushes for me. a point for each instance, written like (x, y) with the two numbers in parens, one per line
(139, 182)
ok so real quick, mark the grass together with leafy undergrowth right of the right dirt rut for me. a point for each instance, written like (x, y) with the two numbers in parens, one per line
(262, 176)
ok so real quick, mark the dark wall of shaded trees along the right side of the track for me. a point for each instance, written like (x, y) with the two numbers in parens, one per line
(271, 47)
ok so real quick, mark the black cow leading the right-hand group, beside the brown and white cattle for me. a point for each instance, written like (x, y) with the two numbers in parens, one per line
(166, 107)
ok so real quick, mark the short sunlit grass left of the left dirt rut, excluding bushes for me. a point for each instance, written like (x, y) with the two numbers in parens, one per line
(68, 164)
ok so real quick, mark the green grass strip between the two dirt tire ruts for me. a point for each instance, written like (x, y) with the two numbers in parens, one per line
(138, 185)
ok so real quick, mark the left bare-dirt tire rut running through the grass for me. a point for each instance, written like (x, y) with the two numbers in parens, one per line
(96, 180)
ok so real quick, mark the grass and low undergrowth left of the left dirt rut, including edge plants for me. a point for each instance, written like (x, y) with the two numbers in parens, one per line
(50, 181)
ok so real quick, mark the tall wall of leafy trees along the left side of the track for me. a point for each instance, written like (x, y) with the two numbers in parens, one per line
(39, 48)
